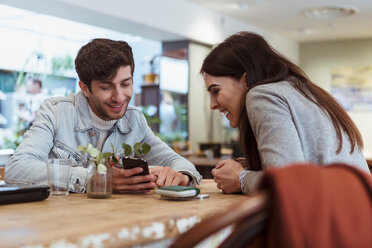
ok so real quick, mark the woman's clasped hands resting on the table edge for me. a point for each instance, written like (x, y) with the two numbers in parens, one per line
(226, 175)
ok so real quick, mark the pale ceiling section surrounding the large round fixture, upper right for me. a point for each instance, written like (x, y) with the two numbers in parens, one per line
(286, 17)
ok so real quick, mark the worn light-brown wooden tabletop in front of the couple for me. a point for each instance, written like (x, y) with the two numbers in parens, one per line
(120, 221)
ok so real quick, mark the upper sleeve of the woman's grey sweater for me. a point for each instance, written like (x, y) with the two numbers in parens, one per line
(272, 123)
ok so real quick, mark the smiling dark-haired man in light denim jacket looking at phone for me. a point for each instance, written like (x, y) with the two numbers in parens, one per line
(99, 114)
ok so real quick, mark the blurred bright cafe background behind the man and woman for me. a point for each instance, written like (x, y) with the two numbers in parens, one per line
(170, 38)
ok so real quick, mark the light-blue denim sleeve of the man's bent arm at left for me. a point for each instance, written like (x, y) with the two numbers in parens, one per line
(27, 165)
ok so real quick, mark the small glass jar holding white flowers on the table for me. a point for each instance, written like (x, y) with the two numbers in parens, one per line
(99, 181)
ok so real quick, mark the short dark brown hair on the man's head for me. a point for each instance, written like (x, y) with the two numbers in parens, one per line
(100, 59)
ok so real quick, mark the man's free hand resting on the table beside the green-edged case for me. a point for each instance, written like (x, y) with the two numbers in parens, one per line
(166, 176)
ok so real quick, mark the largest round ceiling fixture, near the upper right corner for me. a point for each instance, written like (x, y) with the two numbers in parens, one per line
(330, 12)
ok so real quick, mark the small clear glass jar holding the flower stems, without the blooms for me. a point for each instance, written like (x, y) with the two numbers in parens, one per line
(99, 182)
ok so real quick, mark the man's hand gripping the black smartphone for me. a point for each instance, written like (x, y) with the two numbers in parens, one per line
(126, 181)
